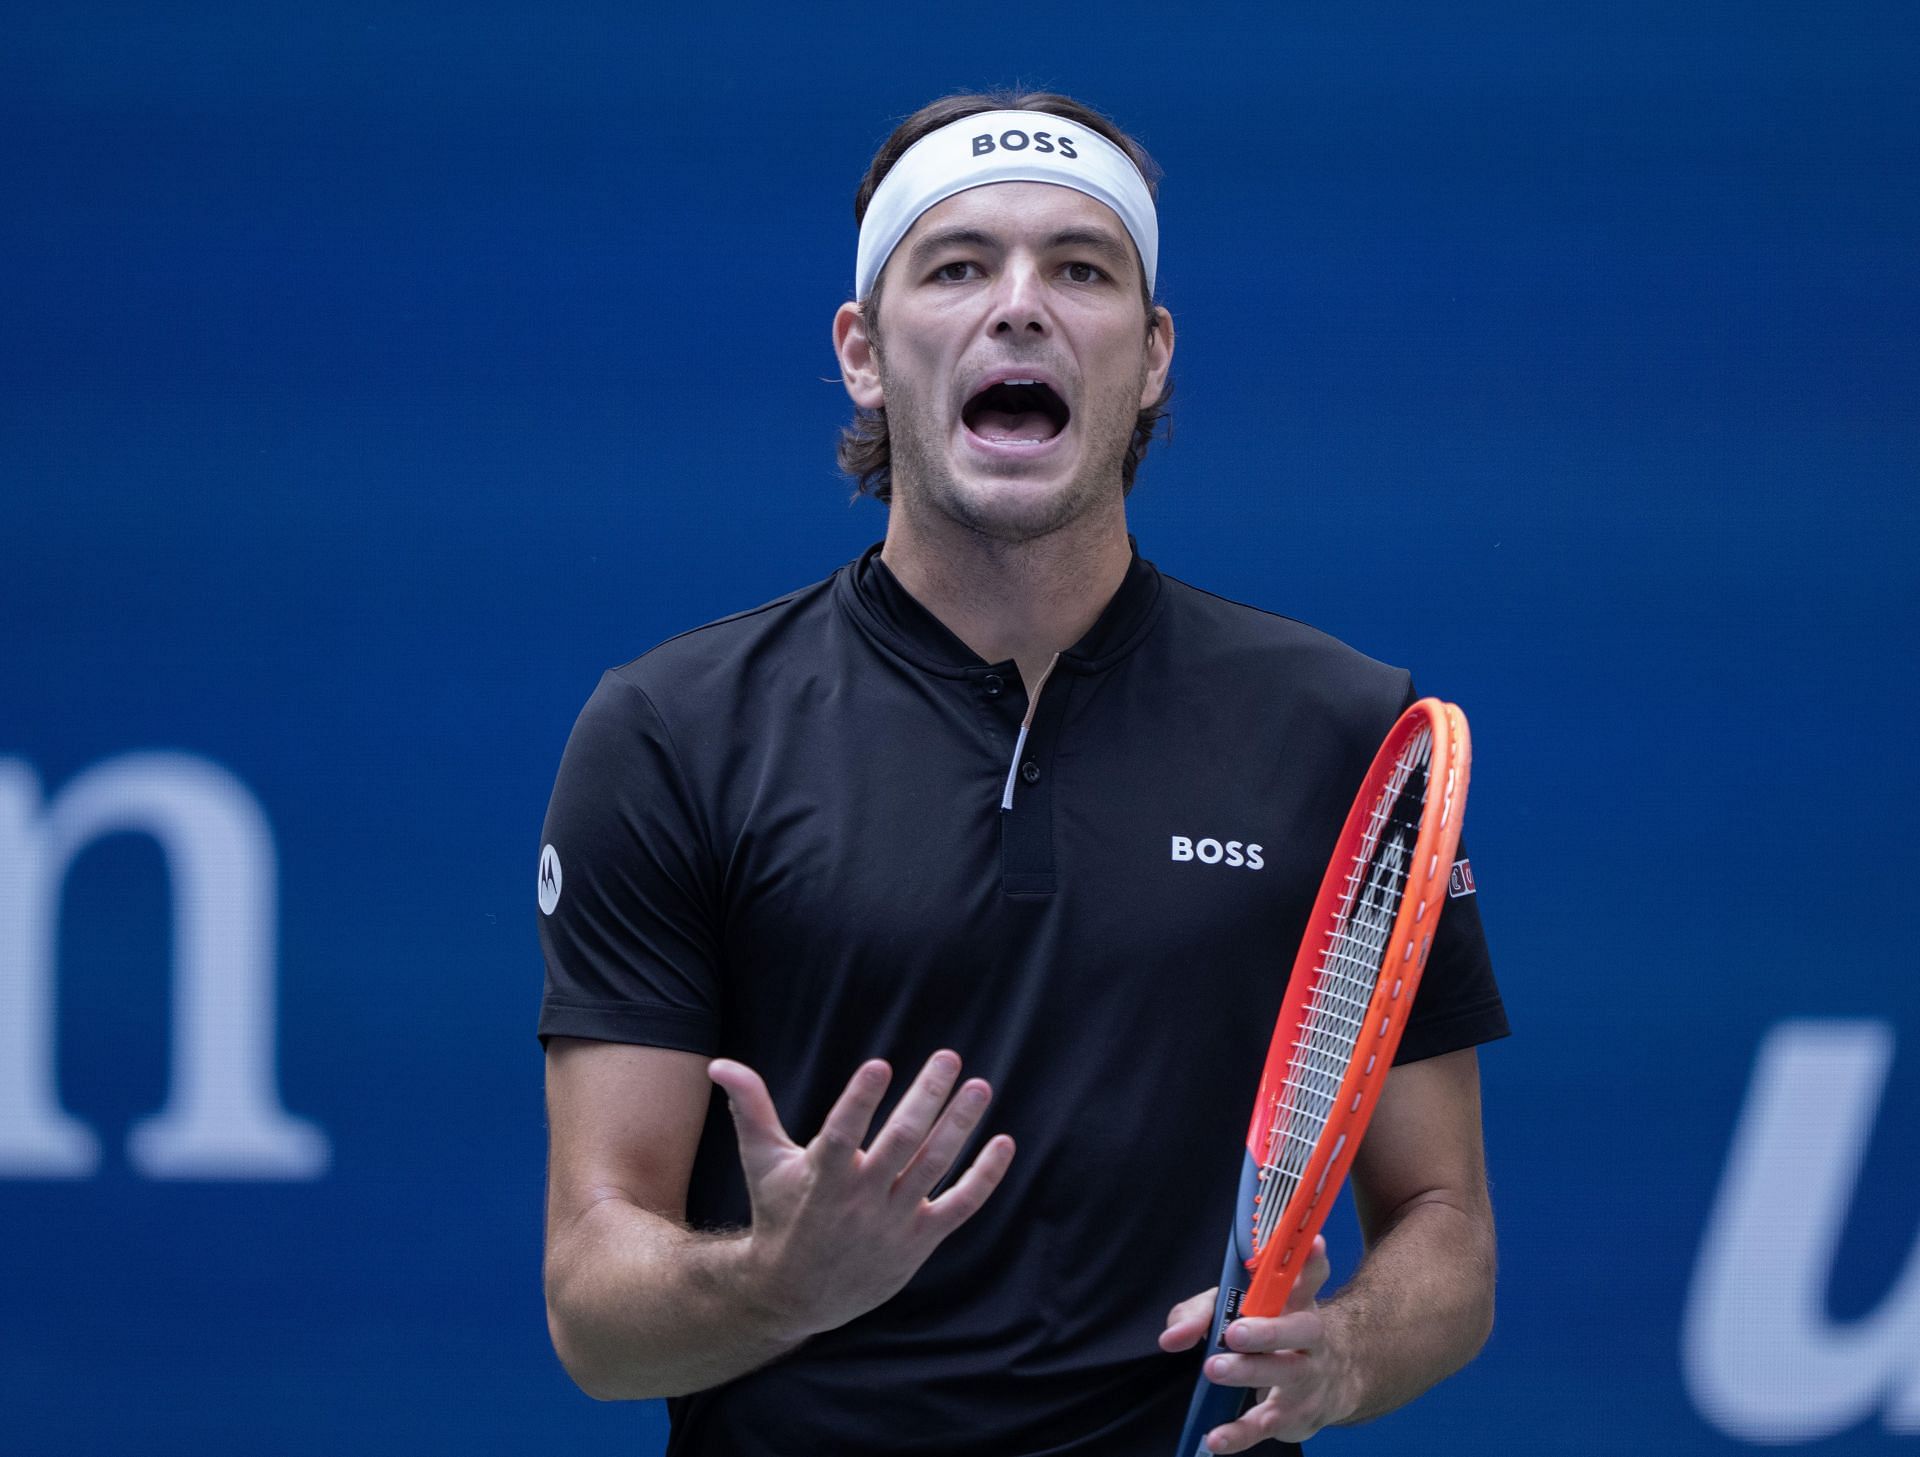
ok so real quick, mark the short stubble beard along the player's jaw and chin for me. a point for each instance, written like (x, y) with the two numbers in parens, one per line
(924, 479)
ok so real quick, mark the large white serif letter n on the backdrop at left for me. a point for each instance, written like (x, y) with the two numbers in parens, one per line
(224, 1116)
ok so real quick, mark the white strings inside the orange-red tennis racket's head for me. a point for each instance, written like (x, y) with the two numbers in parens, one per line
(1343, 986)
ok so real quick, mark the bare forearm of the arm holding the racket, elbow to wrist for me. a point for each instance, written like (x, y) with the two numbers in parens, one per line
(1418, 1310)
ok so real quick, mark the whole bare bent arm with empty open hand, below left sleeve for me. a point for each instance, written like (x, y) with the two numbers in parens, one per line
(642, 1306)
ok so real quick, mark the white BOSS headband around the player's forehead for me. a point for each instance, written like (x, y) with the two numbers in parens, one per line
(1003, 147)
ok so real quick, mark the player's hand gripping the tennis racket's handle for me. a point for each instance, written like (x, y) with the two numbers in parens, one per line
(1295, 1360)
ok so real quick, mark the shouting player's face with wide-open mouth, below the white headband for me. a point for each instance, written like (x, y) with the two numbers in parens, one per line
(1015, 358)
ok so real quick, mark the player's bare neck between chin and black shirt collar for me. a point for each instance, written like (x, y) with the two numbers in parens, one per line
(1020, 602)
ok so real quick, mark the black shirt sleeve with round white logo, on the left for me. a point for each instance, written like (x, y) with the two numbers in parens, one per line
(629, 890)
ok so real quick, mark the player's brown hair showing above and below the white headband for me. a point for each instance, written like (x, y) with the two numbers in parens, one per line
(865, 450)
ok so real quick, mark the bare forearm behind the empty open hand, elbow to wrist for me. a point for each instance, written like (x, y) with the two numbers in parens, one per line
(640, 1306)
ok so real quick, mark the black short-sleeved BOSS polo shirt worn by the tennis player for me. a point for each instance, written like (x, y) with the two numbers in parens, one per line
(780, 838)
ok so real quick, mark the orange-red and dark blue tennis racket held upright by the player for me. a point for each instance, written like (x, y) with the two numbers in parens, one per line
(1347, 1005)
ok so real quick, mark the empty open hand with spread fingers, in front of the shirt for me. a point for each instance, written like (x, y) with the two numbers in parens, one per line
(838, 1228)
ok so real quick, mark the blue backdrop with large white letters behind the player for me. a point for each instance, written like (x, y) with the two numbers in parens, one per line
(377, 375)
